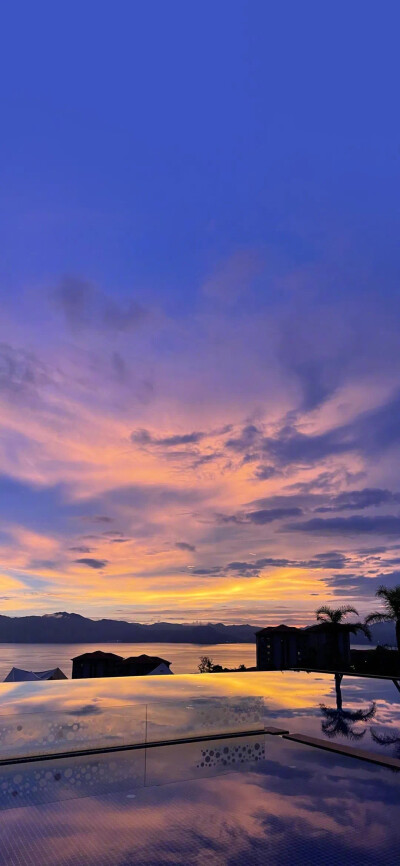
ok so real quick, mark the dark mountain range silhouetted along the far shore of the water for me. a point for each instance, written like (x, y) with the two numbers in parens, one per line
(65, 627)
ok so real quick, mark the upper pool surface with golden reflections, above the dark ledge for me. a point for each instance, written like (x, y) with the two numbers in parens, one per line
(340, 708)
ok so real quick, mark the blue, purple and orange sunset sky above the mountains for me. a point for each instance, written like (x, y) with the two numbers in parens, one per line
(200, 308)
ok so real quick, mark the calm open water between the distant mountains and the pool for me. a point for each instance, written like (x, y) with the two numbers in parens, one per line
(184, 658)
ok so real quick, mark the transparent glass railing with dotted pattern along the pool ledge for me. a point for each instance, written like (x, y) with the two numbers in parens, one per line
(96, 726)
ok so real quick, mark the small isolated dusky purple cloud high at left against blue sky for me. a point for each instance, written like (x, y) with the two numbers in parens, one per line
(85, 307)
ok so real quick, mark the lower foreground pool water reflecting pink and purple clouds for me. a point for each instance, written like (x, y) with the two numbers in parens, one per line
(291, 804)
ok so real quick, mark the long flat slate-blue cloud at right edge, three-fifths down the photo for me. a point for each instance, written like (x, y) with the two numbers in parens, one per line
(355, 525)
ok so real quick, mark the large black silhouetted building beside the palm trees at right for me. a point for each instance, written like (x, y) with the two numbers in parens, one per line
(317, 646)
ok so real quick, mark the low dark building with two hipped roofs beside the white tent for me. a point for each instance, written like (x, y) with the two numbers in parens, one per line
(101, 664)
